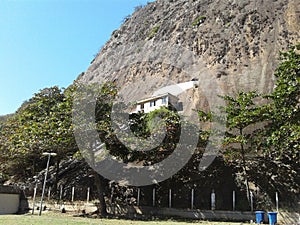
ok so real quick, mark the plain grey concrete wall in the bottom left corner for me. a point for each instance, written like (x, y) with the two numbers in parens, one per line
(9, 203)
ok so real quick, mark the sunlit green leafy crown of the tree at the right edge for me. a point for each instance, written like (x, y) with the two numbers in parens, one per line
(284, 110)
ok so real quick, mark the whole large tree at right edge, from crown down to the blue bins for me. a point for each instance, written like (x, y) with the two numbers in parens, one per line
(281, 135)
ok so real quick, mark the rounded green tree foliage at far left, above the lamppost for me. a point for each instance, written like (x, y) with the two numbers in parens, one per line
(41, 124)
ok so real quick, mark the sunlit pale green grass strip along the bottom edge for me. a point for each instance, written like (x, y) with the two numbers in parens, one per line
(50, 218)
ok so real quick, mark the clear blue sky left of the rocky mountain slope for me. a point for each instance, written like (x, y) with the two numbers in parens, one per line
(50, 42)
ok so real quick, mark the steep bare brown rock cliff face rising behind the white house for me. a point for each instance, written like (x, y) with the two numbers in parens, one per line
(228, 45)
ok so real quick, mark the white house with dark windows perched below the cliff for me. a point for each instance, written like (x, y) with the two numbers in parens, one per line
(150, 104)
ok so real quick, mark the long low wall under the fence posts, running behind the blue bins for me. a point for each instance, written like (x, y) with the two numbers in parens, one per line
(286, 218)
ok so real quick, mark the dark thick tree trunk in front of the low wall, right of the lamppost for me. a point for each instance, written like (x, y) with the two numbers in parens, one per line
(100, 184)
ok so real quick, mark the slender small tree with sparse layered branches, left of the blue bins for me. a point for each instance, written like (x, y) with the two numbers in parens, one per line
(241, 113)
